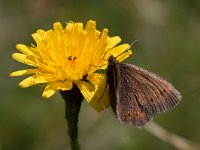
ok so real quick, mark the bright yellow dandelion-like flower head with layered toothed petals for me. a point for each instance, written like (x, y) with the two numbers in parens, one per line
(63, 57)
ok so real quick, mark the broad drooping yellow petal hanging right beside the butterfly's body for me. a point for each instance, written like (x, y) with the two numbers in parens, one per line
(99, 98)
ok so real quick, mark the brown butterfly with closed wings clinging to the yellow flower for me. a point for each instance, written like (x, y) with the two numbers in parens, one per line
(136, 94)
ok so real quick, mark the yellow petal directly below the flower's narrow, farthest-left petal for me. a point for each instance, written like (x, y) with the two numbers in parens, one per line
(32, 80)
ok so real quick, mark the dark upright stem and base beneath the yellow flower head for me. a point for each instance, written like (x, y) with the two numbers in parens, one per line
(73, 99)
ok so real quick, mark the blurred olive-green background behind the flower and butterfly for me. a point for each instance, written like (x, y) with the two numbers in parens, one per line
(169, 45)
